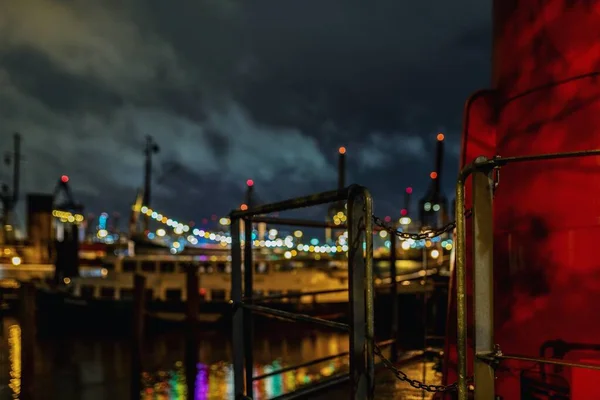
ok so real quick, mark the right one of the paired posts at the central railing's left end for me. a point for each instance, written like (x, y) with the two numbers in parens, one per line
(248, 316)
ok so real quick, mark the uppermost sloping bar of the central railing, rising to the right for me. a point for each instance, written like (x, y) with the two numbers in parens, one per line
(291, 204)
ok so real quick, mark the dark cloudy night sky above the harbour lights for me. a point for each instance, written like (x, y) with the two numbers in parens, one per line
(236, 89)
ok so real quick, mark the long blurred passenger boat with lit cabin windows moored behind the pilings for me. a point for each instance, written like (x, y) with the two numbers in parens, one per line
(108, 295)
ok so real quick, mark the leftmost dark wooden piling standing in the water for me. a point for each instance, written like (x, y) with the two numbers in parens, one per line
(27, 322)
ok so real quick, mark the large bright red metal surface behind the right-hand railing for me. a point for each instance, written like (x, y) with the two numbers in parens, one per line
(547, 214)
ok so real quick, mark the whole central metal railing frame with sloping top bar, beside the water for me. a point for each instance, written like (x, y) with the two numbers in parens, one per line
(360, 287)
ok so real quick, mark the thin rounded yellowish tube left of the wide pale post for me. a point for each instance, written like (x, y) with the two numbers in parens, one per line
(461, 289)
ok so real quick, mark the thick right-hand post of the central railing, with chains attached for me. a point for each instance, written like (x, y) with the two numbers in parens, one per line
(361, 293)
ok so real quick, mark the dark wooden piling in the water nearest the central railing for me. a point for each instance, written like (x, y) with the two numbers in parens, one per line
(191, 334)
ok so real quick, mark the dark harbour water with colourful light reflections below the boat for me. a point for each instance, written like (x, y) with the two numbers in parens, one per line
(98, 368)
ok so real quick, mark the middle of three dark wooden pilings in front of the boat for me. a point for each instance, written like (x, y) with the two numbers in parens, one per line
(137, 342)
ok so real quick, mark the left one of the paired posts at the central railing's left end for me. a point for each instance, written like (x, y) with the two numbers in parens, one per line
(238, 316)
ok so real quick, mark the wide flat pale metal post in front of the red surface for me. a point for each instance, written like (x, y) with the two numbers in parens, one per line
(483, 270)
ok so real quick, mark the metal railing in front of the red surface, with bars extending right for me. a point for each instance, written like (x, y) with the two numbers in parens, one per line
(487, 354)
